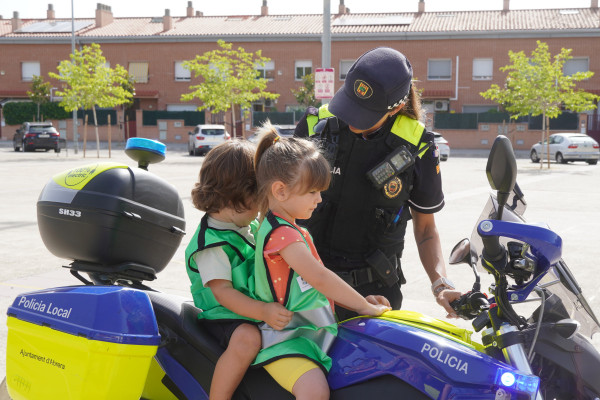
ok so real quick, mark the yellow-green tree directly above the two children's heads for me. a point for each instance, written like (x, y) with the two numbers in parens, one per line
(230, 78)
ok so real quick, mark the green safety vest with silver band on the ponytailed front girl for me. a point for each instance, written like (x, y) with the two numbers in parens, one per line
(313, 327)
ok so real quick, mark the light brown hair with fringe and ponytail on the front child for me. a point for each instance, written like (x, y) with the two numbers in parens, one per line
(295, 162)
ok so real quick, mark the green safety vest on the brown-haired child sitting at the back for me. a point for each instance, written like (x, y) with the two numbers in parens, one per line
(241, 257)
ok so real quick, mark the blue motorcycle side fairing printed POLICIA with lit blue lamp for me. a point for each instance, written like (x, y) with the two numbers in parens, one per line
(435, 364)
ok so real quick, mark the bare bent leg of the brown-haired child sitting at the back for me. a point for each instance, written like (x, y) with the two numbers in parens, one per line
(243, 347)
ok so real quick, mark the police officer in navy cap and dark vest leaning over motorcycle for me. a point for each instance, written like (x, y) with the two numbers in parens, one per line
(385, 172)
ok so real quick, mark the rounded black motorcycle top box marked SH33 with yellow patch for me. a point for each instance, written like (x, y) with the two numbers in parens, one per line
(111, 218)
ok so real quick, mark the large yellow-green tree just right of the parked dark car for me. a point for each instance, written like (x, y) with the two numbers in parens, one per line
(89, 82)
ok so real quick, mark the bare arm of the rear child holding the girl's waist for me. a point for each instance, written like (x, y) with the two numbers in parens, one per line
(274, 314)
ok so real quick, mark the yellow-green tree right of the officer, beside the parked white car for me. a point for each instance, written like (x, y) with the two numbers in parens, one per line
(538, 85)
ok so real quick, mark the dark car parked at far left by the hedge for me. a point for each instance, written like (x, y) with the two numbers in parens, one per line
(37, 135)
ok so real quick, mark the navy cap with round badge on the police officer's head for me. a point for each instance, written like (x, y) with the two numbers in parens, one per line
(376, 83)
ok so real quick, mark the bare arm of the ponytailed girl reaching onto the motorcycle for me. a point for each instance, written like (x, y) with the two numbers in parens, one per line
(300, 259)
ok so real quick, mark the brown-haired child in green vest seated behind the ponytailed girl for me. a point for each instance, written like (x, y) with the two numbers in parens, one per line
(220, 261)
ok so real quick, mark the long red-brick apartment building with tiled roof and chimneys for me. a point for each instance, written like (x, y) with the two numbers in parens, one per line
(455, 55)
